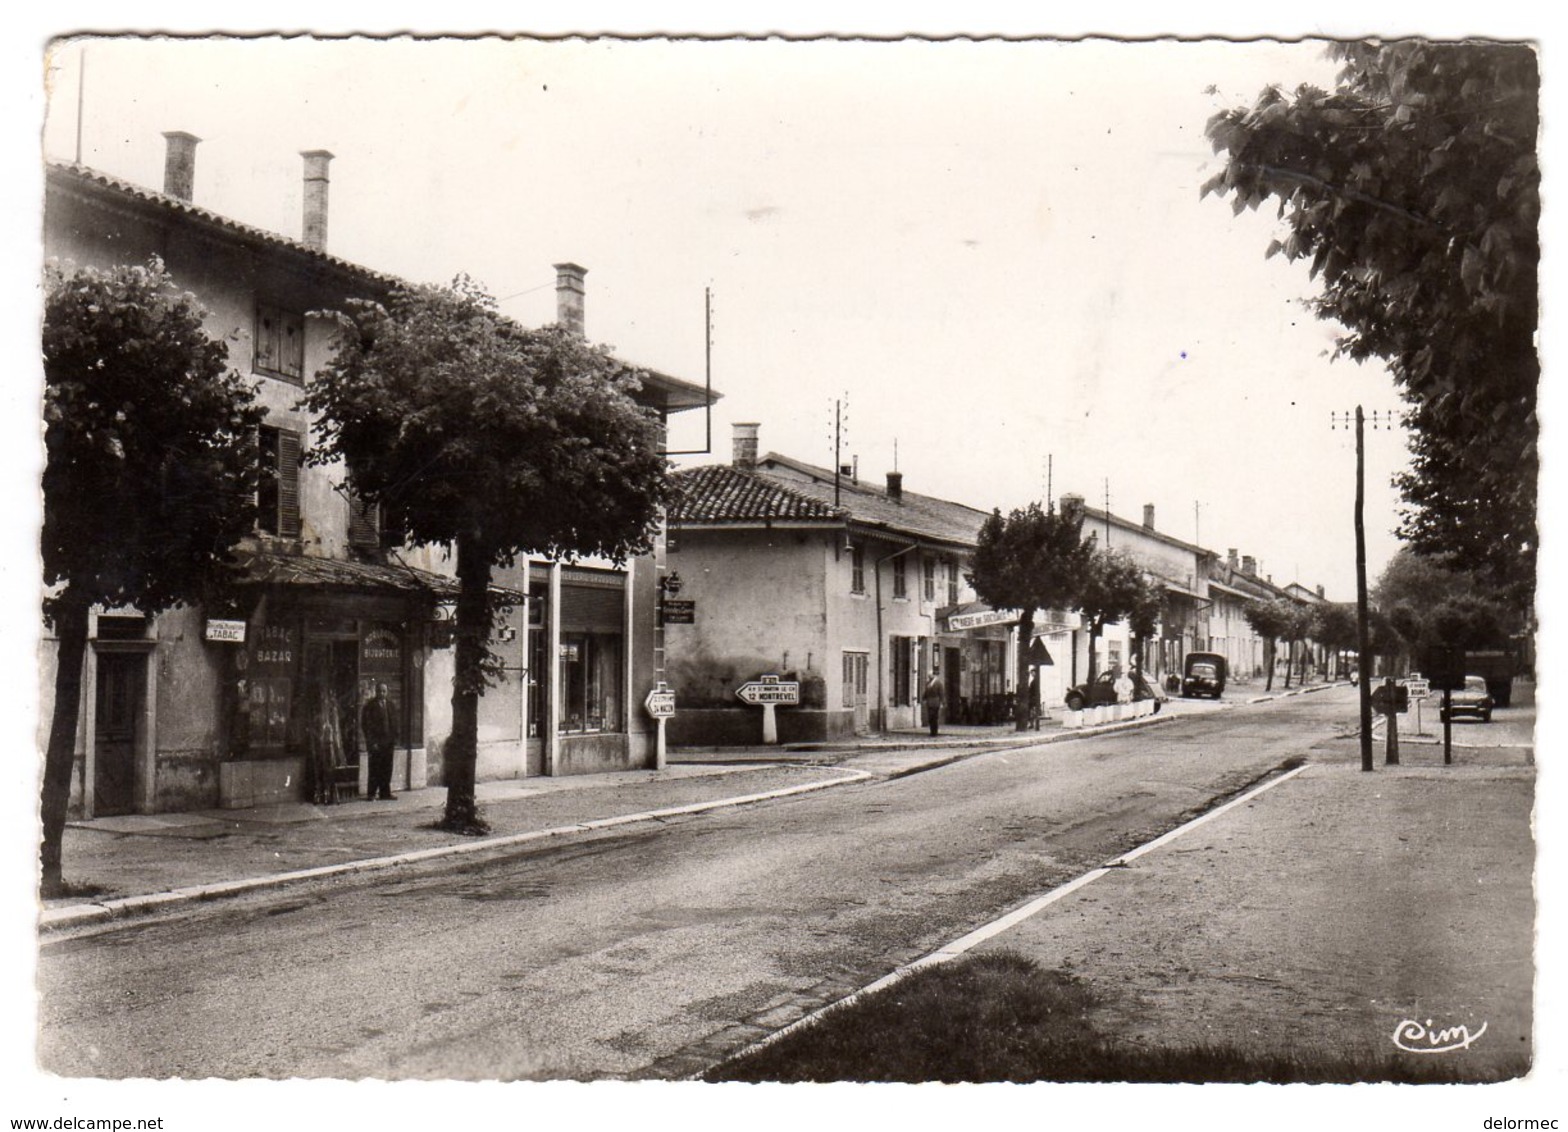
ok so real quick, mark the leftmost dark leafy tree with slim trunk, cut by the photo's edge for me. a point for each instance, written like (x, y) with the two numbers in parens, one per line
(150, 476)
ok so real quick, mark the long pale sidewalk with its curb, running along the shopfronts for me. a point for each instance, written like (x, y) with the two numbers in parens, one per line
(159, 862)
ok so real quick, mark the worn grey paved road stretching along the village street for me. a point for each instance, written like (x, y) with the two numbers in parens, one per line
(642, 954)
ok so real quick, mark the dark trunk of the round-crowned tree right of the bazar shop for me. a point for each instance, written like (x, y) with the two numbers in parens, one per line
(460, 756)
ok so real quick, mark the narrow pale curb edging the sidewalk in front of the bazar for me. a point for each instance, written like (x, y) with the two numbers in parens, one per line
(71, 916)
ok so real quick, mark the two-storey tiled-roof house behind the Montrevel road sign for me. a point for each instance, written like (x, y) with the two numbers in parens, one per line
(860, 590)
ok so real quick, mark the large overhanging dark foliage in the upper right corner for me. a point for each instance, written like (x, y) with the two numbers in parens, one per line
(1414, 192)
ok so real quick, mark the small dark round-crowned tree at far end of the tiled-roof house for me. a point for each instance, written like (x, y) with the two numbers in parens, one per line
(1031, 561)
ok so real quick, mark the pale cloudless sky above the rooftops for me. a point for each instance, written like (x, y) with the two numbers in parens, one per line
(990, 258)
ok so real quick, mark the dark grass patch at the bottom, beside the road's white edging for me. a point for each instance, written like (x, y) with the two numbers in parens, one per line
(1001, 1018)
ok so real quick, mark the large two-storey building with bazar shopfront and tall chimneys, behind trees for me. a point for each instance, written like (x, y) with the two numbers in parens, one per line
(197, 708)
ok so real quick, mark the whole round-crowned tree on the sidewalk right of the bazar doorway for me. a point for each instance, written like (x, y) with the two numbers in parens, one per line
(488, 440)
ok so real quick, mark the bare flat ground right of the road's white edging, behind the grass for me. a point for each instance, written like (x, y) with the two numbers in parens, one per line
(1362, 913)
